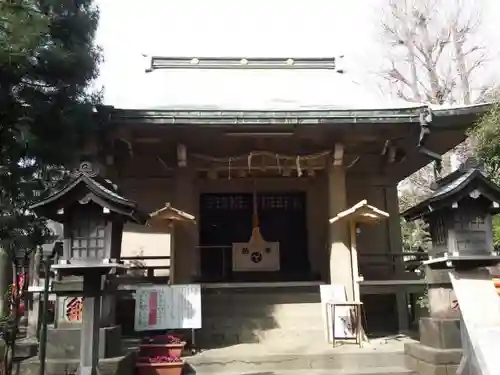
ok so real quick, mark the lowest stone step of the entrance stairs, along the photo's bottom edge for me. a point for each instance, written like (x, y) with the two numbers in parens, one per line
(349, 362)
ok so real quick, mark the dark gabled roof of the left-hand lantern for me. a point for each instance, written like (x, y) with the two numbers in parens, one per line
(102, 192)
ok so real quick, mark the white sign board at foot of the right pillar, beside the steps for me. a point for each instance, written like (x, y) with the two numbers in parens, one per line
(344, 327)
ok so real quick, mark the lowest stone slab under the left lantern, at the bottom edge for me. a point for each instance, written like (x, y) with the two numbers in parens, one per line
(123, 365)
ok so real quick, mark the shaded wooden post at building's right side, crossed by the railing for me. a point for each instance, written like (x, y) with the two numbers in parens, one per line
(396, 246)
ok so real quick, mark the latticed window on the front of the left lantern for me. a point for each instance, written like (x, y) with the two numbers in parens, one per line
(87, 239)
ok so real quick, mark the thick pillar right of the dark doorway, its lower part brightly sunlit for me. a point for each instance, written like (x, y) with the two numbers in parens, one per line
(340, 256)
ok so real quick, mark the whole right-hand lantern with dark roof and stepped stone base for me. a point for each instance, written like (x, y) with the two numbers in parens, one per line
(459, 213)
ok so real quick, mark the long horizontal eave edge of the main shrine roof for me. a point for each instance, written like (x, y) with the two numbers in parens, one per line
(213, 115)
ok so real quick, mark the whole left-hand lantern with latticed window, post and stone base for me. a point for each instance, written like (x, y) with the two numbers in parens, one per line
(93, 214)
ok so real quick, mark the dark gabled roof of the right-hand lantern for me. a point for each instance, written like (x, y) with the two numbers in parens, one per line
(453, 188)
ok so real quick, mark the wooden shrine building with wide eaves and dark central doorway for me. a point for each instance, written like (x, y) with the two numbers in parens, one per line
(275, 177)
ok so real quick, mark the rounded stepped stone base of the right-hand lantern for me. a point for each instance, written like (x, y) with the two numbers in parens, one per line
(439, 350)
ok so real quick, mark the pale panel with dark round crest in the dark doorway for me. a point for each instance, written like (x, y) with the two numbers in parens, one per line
(260, 257)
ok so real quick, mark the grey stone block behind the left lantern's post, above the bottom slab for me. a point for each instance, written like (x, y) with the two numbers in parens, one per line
(64, 343)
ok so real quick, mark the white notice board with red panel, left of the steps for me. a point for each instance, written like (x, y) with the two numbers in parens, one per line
(168, 307)
